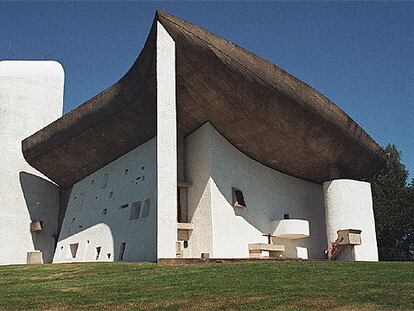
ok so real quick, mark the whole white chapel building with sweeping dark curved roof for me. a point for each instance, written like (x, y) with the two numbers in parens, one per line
(202, 149)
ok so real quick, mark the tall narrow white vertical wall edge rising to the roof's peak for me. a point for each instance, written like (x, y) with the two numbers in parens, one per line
(166, 146)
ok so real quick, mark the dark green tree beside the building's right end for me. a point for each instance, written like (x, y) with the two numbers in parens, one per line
(393, 202)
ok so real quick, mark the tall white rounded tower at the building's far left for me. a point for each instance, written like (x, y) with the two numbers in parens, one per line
(31, 97)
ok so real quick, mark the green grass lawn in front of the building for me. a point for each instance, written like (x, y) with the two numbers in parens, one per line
(239, 286)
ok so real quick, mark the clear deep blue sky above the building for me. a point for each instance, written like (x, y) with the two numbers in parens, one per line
(358, 54)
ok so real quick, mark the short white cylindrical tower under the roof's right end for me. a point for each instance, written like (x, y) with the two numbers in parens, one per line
(348, 205)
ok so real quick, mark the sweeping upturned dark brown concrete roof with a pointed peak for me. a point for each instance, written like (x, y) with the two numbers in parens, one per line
(264, 111)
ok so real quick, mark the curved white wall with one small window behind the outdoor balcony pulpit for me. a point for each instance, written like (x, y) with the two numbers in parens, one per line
(214, 167)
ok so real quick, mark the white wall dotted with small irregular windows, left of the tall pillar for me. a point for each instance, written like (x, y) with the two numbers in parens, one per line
(130, 178)
